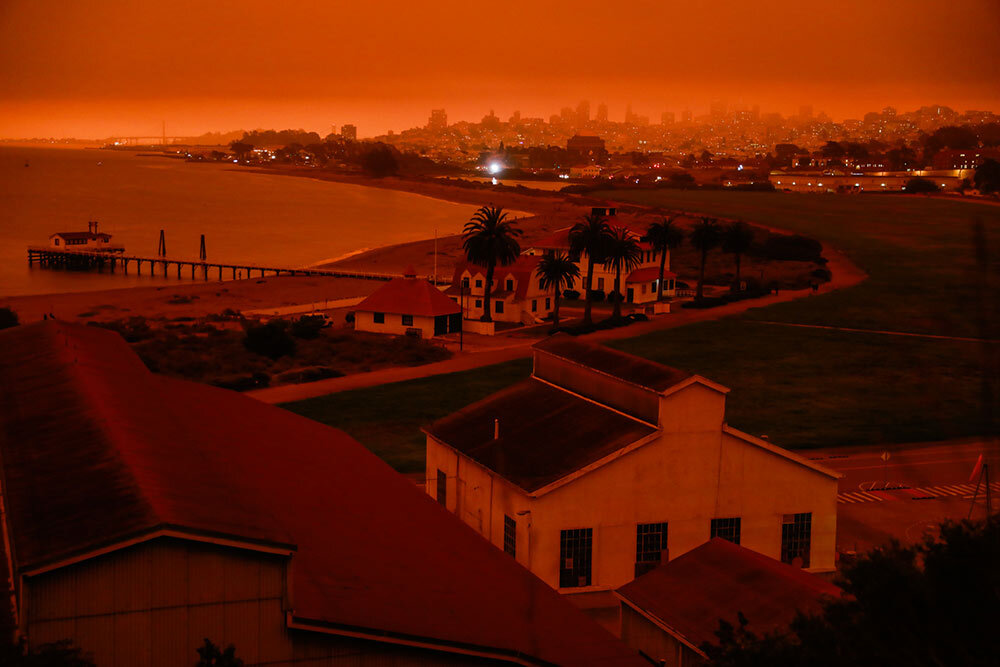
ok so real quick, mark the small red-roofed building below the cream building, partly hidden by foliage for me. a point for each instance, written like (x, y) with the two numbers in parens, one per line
(669, 613)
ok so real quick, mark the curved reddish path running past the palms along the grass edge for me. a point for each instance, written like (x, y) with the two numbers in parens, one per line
(845, 274)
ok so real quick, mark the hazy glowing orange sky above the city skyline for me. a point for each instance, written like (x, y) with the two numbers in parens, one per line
(103, 67)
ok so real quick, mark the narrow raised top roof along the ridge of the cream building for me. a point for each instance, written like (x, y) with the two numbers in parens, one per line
(627, 367)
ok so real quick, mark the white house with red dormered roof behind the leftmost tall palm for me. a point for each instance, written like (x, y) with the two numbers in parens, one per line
(517, 292)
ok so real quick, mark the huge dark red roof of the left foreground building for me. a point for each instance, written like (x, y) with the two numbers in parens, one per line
(95, 449)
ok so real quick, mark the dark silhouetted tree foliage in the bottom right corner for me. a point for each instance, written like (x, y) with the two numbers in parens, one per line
(931, 604)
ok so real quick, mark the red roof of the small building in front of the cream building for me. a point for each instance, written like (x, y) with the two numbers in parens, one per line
(720, 579)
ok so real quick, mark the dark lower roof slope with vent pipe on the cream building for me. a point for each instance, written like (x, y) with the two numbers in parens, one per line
(545, 433)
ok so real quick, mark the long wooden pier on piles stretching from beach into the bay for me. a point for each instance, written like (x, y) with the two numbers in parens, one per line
(50, 257)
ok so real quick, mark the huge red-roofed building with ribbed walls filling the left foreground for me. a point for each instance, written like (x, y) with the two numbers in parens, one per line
(143, 514)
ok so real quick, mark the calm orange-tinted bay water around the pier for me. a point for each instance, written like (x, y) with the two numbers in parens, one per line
(246, 217)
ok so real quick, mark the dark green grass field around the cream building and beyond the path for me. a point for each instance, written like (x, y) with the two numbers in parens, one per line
(802, 387)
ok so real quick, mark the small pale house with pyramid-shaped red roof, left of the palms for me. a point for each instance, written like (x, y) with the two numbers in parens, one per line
(408, 305)
